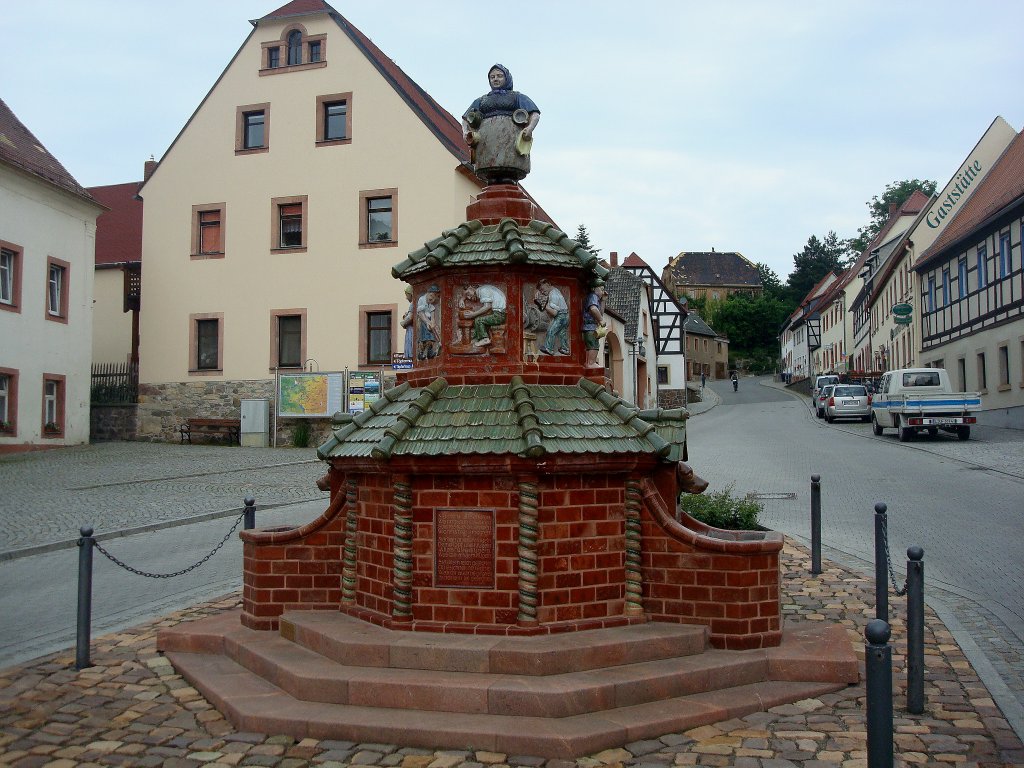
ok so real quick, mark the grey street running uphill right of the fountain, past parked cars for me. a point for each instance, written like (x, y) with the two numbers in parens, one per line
(962, 502)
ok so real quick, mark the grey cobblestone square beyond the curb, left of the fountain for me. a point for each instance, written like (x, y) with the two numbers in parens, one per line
(115, 486)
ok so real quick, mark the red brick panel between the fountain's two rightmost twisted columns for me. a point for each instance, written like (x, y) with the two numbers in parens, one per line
(582, 548)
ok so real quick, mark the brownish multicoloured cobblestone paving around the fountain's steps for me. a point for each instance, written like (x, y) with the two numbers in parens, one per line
(133, 710)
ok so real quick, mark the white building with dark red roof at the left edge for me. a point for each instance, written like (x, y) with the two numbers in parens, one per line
(48, 242)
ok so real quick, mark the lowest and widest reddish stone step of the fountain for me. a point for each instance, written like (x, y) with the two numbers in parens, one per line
(253, 704)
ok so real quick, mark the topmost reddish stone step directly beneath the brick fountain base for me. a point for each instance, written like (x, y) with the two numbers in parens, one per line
(355, 643)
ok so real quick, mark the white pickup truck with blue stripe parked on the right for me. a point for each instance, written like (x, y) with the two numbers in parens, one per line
(913, 400)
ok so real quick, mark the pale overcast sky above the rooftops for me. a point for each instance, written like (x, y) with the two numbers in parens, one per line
(666, 126)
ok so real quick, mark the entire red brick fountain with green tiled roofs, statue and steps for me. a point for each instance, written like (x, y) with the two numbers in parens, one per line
(502, 565)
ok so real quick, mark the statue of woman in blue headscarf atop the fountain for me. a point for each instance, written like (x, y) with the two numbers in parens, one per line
(499, 127)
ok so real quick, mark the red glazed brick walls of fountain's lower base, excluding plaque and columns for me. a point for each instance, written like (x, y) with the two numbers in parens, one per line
(733, 586)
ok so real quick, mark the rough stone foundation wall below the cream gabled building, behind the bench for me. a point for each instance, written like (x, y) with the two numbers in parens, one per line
(164, 408)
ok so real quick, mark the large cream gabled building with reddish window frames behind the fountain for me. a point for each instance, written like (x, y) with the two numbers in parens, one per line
(272, 223)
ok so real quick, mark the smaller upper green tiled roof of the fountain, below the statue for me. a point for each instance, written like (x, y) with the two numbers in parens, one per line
(473, 244)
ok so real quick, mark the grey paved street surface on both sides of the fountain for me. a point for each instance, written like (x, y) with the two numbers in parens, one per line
(163, 507)
